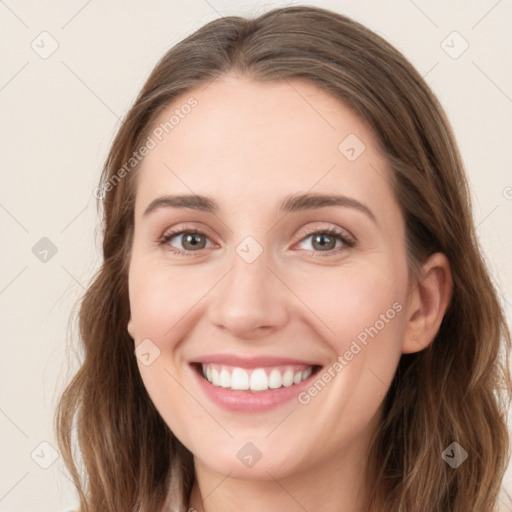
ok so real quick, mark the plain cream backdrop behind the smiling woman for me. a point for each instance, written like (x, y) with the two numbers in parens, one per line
(69, 72)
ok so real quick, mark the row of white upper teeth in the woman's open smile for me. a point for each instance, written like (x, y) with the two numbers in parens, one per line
(258, 379)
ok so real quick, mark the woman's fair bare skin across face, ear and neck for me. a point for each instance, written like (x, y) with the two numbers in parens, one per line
(248, 145)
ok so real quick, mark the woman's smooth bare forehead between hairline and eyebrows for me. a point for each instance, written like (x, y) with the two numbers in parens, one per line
(250, 143)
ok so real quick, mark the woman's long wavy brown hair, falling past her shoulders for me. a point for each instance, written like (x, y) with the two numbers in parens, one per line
(456, 390)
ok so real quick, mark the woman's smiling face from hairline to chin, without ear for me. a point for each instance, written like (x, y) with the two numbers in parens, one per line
(294, 284)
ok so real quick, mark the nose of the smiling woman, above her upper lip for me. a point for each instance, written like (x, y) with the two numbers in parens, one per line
(251, 301)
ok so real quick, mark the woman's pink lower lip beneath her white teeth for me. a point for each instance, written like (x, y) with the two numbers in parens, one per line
(247, 401)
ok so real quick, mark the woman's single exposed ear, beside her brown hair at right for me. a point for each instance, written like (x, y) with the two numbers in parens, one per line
(427, 303)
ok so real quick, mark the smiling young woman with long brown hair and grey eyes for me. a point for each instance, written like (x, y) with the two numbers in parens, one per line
(292, 310)
